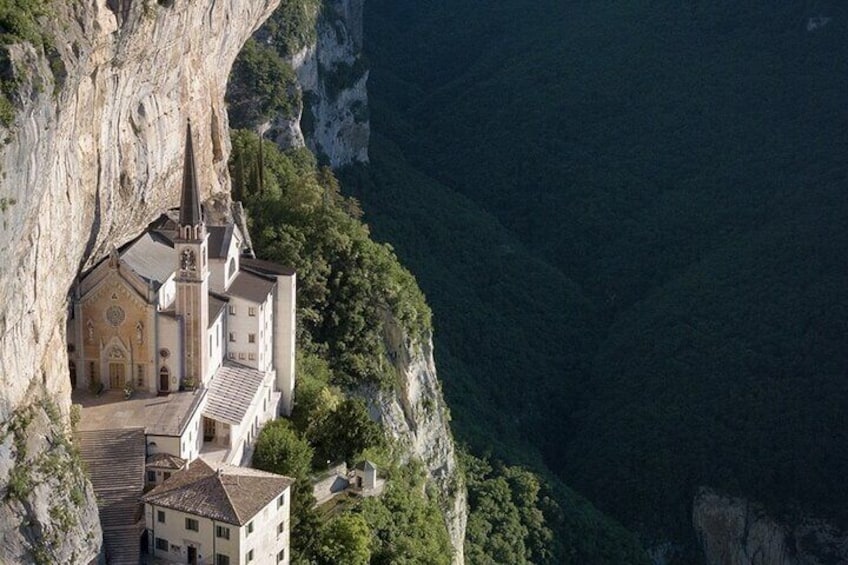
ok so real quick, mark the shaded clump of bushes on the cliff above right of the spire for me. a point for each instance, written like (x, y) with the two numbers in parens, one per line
(262, 86)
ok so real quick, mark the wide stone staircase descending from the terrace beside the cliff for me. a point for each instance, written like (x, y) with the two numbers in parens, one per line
(115, 461)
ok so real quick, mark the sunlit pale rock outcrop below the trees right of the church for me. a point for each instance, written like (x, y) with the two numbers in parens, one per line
(416, 416)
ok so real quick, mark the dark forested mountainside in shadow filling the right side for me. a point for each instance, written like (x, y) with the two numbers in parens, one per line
(629, 220)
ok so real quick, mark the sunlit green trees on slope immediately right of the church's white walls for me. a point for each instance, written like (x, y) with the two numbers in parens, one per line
(347, 283)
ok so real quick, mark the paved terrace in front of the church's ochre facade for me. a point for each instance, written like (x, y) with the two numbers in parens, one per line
(158, 415)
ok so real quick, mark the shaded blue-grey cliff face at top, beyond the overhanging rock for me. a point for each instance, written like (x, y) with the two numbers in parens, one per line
(333, 78)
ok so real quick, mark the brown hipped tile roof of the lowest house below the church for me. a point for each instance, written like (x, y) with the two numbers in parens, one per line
(225, 493)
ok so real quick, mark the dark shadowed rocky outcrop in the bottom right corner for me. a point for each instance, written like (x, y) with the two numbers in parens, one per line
(735, 531)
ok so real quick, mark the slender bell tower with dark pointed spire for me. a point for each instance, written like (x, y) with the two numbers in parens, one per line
(192, 279)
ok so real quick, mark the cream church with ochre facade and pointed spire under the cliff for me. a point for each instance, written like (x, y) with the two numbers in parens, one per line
(183, 314)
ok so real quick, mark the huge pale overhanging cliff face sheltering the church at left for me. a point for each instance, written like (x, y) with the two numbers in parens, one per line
(86, 165)
